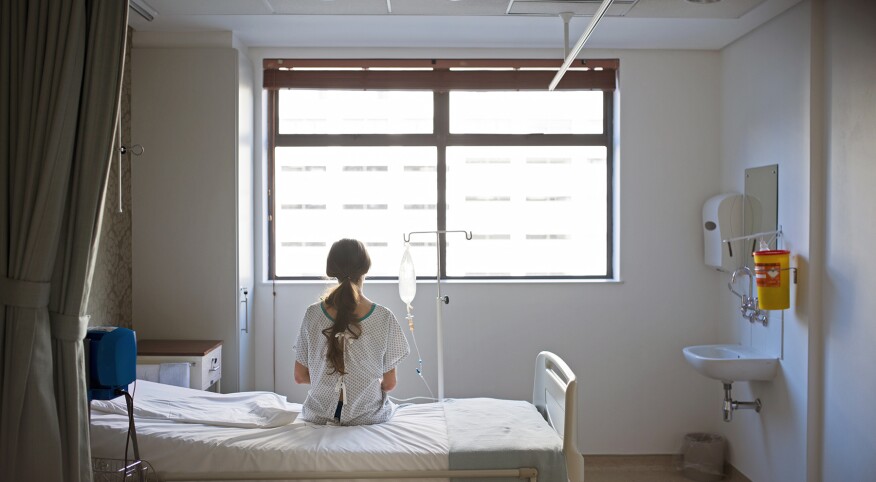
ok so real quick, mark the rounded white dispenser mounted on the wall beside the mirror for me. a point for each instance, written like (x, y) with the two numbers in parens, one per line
(723, 219)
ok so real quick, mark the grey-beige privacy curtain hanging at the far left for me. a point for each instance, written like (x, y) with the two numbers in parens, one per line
(60, 78)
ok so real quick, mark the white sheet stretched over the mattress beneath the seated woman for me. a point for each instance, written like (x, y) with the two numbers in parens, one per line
(415, 439)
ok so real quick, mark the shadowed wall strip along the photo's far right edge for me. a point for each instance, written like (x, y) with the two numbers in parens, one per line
(849, 305)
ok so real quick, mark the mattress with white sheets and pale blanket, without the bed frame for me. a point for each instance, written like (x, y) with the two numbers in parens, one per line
(433, 436)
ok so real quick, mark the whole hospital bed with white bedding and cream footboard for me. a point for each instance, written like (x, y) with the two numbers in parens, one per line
(192, 435)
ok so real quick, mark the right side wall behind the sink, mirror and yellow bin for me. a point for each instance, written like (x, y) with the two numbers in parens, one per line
(765, 96)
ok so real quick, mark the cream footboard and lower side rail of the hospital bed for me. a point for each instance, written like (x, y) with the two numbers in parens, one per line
(554, 395)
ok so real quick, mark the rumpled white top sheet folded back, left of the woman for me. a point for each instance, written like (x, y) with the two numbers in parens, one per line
(164, 402)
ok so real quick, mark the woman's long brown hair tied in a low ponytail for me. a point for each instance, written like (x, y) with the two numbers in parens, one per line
(348, 261)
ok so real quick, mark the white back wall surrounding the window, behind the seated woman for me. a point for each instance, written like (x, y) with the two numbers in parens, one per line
(623, 339)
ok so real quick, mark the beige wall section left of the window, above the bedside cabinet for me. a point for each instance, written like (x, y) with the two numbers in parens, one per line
(185, 224)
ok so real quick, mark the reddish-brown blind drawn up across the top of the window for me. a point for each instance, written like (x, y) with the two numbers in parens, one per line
(436, 74)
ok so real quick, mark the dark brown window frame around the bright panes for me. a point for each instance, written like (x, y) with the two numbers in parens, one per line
(441, 138)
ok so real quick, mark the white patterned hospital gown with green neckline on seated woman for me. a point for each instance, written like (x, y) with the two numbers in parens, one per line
(379, 348)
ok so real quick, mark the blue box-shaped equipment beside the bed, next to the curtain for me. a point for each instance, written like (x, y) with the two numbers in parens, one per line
(111, 357)
